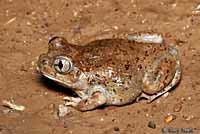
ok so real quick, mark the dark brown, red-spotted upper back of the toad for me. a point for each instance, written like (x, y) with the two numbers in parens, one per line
(120, 54)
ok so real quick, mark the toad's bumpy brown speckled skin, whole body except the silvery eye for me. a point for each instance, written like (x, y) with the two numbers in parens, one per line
(112, 71)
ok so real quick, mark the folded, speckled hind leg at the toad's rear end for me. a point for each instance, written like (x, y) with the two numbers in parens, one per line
(162, 75)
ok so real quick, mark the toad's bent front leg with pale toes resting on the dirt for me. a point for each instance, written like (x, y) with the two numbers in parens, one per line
(91, 102)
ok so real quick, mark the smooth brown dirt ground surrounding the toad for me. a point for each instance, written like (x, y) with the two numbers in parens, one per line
(26, 26)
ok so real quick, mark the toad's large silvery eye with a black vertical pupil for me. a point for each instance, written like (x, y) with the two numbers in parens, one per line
(62, 64)
